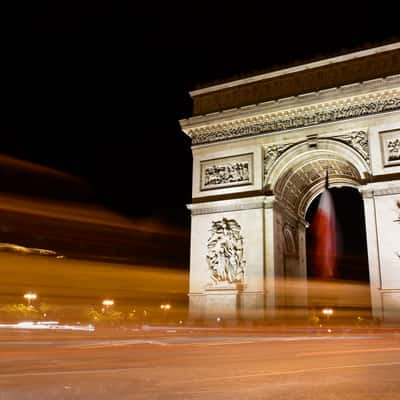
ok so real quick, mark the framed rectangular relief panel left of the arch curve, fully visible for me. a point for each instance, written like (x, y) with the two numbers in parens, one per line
(226, 172)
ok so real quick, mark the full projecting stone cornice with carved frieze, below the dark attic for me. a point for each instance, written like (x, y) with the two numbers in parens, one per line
(350, 101)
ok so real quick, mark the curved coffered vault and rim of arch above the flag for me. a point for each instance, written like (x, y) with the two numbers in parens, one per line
(298, 175)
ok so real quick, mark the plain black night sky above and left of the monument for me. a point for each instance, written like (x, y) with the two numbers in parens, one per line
(96, 89)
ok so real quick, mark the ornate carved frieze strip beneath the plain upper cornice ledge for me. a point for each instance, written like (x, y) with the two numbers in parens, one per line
(296, 117)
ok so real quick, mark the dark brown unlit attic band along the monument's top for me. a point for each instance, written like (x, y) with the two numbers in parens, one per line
(305, 80)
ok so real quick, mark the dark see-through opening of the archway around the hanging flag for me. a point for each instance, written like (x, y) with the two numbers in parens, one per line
(349, 288)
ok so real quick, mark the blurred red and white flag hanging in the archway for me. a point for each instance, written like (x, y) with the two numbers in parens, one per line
(324, 237)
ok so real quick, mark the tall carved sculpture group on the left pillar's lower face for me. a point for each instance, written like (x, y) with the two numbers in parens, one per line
(225, 252)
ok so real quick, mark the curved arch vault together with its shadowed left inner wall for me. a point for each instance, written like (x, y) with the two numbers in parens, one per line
(293, 179)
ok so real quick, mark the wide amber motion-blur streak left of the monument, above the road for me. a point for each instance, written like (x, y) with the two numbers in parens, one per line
(73, 290)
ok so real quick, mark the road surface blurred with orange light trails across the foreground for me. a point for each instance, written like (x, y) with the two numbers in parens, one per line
(174, 364)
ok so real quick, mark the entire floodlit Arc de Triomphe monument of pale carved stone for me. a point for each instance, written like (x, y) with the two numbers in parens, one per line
(261, 146)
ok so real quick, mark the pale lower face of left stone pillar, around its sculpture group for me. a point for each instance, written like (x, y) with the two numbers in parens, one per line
(209, 296)
